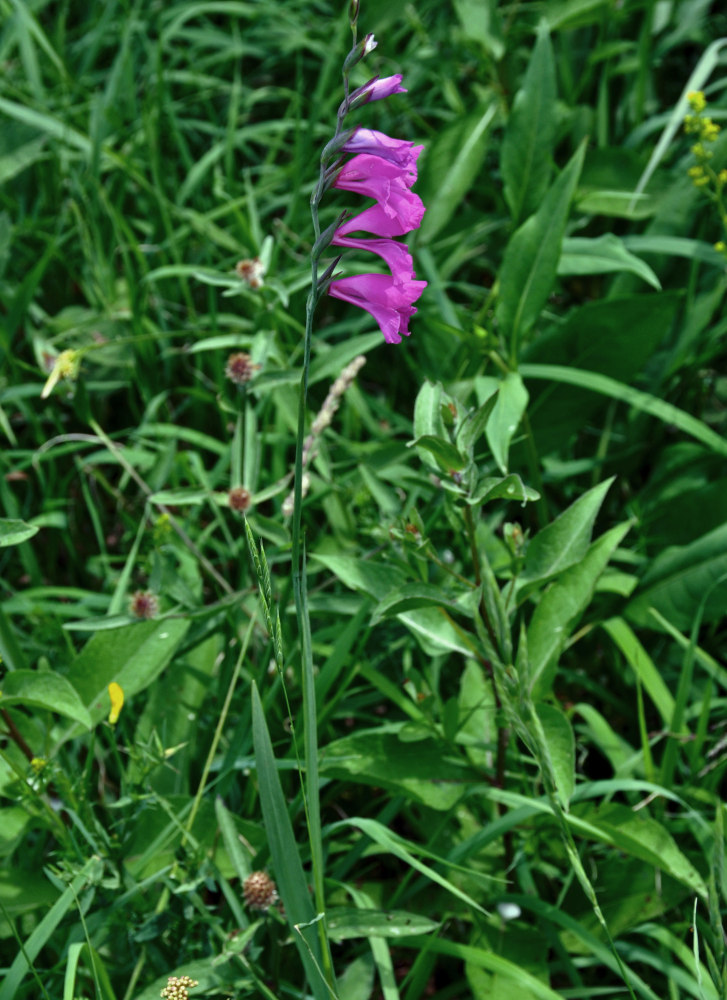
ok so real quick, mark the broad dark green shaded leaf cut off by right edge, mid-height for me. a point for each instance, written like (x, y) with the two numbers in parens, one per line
(680, 578)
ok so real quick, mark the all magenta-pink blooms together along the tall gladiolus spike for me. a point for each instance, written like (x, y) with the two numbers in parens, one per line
(384, 169)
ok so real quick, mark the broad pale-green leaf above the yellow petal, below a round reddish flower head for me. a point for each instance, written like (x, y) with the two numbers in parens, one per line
(133, 656)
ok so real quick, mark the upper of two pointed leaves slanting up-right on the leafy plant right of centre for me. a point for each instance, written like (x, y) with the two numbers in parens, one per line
(564, 541)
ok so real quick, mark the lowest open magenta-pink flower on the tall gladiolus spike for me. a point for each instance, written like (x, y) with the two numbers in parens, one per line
(389, 301)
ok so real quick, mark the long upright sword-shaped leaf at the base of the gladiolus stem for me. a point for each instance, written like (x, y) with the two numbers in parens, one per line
(284, 850)
